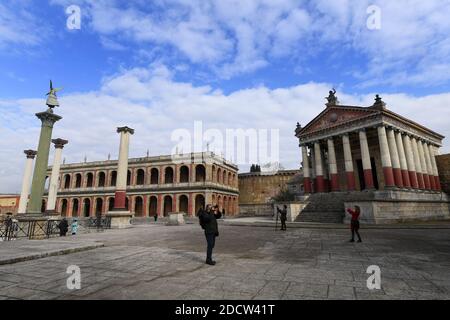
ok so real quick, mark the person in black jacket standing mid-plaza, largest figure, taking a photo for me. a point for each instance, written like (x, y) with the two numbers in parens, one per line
(208, 220)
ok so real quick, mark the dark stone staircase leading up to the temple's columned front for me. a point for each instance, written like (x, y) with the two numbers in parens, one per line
(324, 208)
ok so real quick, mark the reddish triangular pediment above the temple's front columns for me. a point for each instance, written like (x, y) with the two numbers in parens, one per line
(336, 116)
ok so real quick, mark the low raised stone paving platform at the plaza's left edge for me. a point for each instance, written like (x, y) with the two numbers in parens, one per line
(24, 250)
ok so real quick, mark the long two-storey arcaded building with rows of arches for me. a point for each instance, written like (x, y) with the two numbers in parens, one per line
(155, 186)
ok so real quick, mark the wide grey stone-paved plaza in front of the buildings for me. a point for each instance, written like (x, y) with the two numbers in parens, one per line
(167, 262)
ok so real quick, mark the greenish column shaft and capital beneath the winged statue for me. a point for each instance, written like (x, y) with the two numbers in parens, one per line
(48, 119)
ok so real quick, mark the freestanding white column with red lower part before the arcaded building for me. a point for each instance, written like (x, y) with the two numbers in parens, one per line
(122, 168)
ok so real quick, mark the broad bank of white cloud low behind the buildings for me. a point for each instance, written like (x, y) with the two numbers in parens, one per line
(150, 101)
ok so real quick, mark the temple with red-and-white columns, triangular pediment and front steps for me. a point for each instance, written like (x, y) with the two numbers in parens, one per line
(371, 157)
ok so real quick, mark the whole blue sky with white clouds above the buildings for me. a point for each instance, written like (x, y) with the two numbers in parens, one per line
(161, 65)
